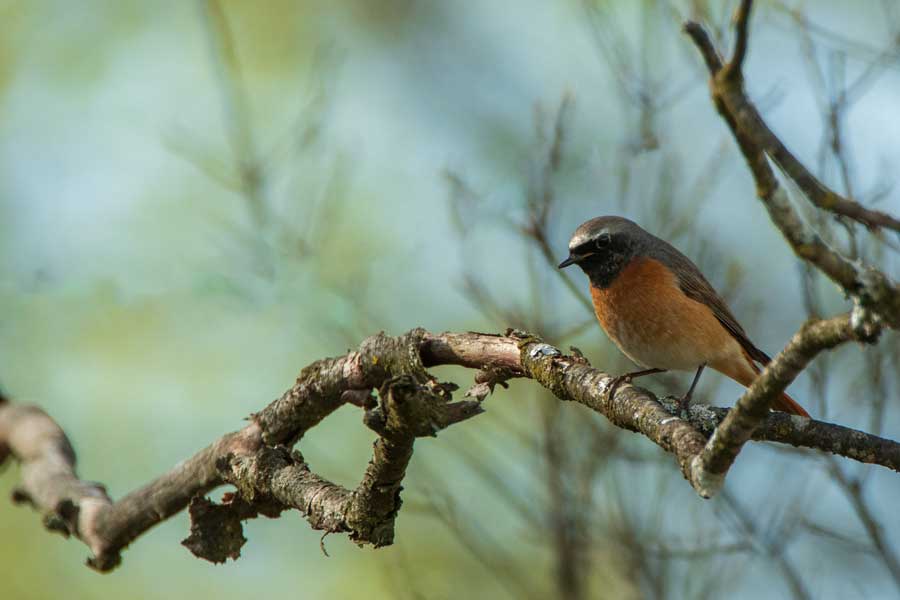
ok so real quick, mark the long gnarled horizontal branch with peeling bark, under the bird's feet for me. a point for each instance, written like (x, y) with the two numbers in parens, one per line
(269, 478)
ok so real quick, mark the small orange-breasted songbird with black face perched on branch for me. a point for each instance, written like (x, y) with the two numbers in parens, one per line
(657, 307)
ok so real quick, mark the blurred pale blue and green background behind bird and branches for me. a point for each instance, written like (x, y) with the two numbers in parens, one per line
(199, 198)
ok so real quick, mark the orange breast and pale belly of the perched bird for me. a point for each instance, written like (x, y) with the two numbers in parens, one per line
(656, 325)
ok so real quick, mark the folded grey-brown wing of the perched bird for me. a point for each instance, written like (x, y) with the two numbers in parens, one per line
(696, 287)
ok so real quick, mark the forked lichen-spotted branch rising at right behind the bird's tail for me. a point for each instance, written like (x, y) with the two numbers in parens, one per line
(876, 297)
